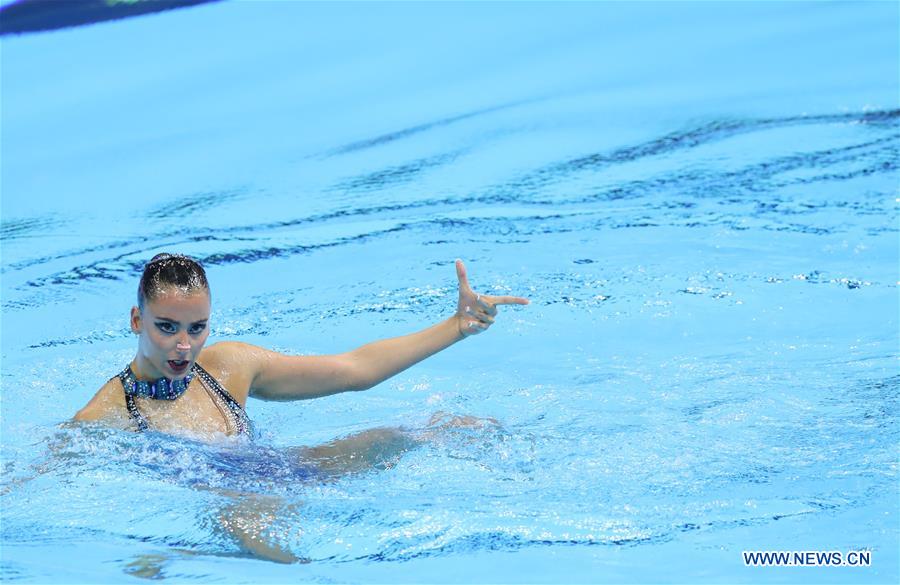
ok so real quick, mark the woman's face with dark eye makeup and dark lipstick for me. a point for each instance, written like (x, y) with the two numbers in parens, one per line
(172, 329)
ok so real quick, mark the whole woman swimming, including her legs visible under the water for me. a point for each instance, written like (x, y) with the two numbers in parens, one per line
(176, 385)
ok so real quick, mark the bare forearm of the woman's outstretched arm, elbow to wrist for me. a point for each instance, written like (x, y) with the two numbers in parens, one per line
(376, 362)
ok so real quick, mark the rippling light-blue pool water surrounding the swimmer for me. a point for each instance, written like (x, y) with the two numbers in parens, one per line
(700, 199)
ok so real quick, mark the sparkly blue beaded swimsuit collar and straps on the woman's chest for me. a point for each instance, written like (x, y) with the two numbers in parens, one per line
(236, 420)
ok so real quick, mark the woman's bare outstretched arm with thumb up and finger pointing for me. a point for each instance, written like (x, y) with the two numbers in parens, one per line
(281, 377)
